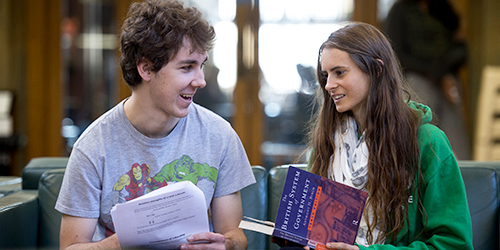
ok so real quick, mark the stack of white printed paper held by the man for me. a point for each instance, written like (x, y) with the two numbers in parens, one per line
(163, 218)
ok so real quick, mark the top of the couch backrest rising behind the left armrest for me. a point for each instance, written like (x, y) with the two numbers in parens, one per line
(37, 166)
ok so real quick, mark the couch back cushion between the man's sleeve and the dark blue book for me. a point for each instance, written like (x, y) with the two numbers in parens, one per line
(254, 202)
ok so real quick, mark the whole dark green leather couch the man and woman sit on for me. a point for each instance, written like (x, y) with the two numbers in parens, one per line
(29, 220)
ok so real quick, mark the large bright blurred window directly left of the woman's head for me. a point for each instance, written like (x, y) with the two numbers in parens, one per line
(290, 35)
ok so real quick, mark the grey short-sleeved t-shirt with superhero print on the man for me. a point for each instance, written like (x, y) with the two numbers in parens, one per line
(112, 162)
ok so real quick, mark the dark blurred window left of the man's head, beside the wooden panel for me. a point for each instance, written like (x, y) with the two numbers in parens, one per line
(89, 63)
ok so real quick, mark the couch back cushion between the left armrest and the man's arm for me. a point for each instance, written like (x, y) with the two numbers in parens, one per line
(50, 219)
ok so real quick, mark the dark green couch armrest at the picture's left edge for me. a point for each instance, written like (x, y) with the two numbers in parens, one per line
(19, 220)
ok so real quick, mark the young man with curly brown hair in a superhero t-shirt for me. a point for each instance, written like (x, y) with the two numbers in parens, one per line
(156, 136)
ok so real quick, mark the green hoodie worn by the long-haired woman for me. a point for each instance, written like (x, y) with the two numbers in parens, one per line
(448, 223)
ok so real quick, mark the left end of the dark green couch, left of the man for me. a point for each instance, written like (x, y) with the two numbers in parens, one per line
(28, 218)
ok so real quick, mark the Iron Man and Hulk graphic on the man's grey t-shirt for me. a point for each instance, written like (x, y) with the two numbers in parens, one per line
(139, 181)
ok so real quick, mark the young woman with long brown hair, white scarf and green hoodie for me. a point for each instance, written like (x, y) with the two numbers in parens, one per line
(368, 134)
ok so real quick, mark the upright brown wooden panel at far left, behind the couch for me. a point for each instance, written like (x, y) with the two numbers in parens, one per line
(43, 85)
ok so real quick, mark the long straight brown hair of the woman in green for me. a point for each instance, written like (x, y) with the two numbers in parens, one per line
(391, 127)
